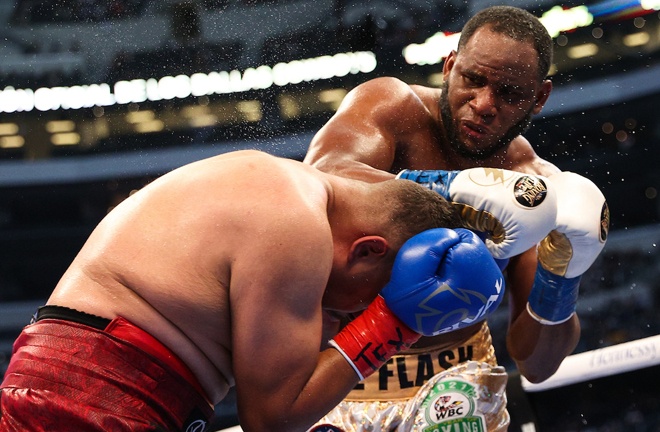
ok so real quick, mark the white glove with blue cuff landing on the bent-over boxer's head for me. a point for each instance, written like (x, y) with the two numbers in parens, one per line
(514, 210)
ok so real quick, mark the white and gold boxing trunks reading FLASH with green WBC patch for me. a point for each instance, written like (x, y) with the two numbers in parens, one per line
(447, 388)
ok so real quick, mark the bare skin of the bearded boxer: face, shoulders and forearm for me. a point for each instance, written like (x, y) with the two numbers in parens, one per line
(386, 125)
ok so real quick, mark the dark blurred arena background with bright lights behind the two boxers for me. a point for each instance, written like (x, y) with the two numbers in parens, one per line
(99, 97)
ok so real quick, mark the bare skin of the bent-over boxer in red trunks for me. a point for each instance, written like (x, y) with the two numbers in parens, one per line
(235, 286)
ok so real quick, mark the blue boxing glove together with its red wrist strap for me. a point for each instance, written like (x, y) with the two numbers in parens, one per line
(442, 280)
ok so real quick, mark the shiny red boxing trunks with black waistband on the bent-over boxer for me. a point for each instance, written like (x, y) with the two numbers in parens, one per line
(79, 372)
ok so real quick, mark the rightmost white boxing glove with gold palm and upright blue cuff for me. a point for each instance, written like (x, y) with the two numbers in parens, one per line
(569, 250)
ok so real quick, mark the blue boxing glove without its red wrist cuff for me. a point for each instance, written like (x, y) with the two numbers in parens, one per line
(443, 280)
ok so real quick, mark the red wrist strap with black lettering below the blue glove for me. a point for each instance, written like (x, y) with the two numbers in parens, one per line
(373, 338)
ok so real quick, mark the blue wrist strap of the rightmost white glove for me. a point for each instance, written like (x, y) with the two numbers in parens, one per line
(553, 298)
